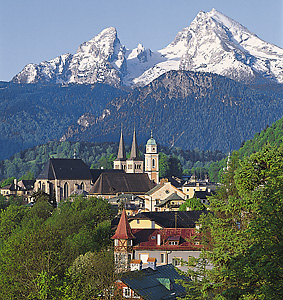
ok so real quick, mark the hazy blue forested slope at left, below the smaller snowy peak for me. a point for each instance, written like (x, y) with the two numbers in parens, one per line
(32, 114)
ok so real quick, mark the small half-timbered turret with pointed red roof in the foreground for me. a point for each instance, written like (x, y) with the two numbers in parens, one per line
(123, 244)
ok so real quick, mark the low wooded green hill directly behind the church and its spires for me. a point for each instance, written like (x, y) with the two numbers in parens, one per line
(173, 161)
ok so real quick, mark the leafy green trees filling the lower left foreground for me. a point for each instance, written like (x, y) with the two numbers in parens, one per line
(63, 253)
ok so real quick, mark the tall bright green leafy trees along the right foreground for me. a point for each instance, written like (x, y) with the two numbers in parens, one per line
(243, 234)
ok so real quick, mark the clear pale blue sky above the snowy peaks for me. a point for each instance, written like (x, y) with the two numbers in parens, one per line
(32, 31)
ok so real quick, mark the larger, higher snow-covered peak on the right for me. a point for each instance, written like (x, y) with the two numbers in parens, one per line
(217, 44)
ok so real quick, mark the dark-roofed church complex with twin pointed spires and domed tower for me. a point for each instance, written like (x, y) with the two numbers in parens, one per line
(63, 177)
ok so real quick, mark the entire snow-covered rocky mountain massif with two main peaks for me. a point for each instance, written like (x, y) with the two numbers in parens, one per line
(212, 43)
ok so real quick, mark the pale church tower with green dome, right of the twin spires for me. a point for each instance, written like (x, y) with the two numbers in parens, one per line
(152, 160)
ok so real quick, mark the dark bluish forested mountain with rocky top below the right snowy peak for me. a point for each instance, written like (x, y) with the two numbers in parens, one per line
(185, 109)
